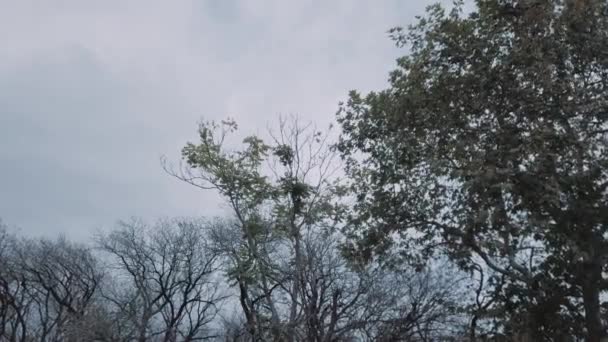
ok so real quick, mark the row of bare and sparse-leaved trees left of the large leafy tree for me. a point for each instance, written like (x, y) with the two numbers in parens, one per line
(273, 270)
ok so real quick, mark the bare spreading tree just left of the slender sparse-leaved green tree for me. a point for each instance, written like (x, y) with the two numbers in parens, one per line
(164, 280)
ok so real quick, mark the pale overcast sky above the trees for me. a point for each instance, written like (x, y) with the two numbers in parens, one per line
(92, 93)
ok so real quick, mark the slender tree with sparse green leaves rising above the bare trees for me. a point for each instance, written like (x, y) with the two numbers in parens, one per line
(276, 192)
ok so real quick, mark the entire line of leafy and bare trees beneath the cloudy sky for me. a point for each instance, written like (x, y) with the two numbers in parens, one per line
(465, 202)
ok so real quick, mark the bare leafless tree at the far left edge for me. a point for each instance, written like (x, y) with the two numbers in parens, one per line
(47, 289)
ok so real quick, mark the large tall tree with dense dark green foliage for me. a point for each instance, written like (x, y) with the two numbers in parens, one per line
(490, 144)
